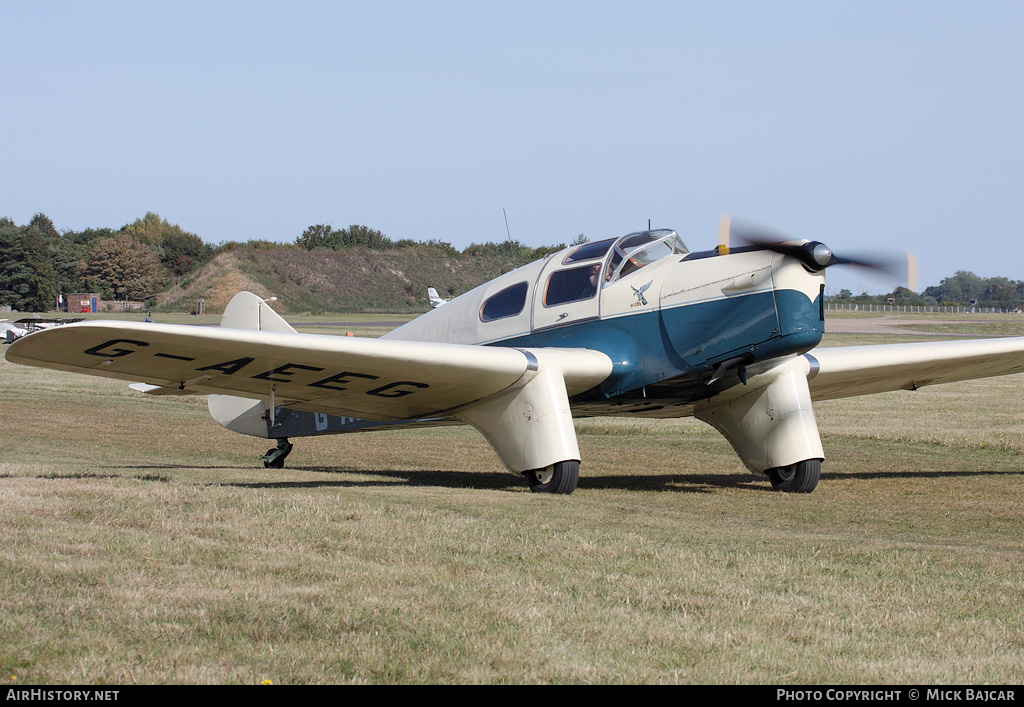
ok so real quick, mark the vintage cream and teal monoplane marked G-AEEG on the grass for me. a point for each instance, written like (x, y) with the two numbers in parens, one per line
(636, 325)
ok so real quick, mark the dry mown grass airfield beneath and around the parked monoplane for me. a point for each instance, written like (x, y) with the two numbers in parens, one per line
(146, 545)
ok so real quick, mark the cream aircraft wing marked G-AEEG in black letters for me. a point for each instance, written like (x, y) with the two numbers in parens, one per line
(360, 378)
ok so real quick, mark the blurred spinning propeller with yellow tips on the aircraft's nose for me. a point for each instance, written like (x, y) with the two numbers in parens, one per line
(817, 256)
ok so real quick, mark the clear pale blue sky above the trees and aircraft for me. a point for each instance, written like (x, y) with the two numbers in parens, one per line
(866, 126)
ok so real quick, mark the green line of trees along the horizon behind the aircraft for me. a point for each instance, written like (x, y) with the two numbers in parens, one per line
(140, 260)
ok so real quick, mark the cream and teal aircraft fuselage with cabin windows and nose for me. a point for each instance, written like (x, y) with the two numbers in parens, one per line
(671, 323)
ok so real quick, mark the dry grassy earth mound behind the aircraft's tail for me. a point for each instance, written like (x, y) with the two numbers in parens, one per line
(320, 281)
